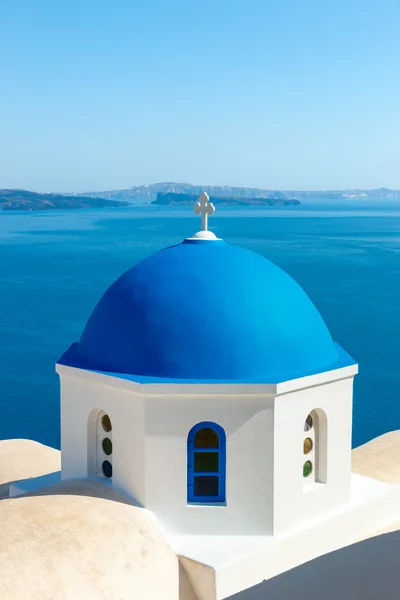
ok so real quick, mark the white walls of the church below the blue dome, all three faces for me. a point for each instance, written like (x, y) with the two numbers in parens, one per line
(266, 492)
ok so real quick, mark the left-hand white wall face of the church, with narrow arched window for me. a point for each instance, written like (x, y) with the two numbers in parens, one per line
(82, 398)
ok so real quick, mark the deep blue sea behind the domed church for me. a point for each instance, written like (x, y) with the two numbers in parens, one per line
(55, 265)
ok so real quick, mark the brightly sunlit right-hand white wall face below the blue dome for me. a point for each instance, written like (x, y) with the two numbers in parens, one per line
(298, 498)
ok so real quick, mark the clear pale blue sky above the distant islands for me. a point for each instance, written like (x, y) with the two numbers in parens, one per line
(282, 94)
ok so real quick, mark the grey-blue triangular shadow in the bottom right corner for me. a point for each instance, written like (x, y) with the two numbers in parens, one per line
(368, 570)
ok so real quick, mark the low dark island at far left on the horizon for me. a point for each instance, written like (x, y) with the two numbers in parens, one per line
(24, 200)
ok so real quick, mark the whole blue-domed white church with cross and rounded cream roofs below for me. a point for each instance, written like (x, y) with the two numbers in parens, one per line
(206, 426)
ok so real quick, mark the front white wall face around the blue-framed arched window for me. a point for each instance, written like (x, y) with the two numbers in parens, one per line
(248, 424)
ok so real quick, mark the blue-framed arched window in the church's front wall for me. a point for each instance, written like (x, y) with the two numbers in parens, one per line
(206, 466)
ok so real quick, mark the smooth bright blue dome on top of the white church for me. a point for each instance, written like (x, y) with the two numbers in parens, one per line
(206, 311)
